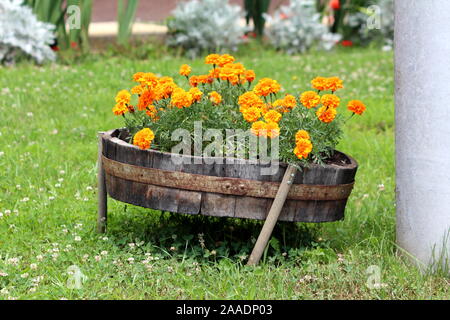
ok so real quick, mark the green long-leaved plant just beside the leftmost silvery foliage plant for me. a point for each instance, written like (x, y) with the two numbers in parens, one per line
(71, 18)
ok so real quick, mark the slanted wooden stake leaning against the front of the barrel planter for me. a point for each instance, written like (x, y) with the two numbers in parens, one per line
(273, 215)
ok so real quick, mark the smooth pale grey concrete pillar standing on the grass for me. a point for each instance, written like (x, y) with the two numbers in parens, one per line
(422, 112)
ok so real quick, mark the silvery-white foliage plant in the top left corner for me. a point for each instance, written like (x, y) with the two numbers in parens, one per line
(21, 30)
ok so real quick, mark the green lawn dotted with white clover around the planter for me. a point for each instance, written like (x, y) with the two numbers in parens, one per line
(48, 149)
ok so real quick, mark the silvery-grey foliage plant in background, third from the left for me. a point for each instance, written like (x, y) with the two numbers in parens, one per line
(296, 27)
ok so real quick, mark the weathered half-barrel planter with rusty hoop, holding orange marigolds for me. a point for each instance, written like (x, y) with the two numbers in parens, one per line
(234, 188)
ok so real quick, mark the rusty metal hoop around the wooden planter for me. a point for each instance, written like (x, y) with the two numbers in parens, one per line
(222, 185)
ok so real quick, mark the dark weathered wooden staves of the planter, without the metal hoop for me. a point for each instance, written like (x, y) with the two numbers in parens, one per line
(160, 197)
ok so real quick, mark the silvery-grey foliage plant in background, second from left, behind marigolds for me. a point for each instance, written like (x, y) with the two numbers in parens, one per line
(211, 25)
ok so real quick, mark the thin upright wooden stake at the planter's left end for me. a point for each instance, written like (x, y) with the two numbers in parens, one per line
(102, 197)
